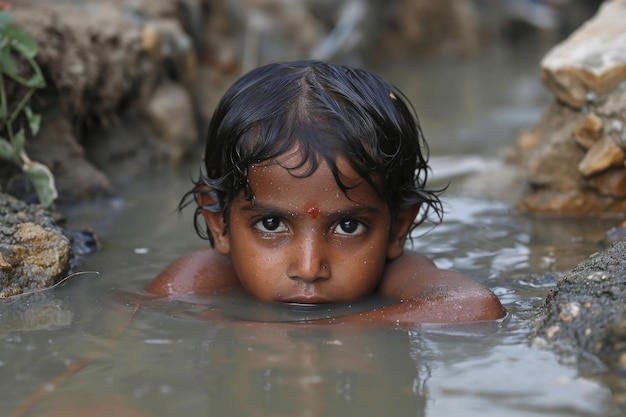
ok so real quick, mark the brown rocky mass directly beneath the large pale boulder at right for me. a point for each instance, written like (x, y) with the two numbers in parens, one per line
(565, 178)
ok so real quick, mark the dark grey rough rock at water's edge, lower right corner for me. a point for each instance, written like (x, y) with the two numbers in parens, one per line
(583, 316)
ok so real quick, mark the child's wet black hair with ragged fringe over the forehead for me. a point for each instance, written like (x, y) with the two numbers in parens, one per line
(326, 110)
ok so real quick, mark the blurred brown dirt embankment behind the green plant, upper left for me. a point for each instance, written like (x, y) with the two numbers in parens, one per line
(122, 92)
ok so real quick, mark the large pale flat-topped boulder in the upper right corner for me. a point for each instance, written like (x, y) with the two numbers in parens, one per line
(592, 61)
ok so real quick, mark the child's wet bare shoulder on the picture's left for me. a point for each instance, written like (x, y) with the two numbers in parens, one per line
(199, 272)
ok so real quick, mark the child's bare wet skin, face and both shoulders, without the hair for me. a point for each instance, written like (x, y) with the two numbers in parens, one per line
(305, 240)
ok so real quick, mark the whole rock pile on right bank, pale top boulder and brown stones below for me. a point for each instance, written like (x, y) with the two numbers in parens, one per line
(575, 161)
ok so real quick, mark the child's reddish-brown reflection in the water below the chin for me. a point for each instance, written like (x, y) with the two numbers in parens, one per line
(283, 369)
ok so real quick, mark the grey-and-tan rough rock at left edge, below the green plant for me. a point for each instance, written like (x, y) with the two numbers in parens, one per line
(34, 251)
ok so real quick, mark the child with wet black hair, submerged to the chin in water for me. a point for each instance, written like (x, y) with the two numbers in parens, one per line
(315, 176)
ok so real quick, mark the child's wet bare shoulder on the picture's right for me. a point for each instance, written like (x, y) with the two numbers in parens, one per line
(446, 296)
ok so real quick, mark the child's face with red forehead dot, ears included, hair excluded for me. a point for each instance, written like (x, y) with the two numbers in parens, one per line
(303, 240)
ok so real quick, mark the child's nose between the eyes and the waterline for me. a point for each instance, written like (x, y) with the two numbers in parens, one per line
(308, 259)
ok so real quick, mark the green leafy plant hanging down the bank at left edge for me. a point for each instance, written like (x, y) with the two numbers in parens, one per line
(16, 43)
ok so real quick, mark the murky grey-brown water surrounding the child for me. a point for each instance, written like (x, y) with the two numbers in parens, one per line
(74, 349)
